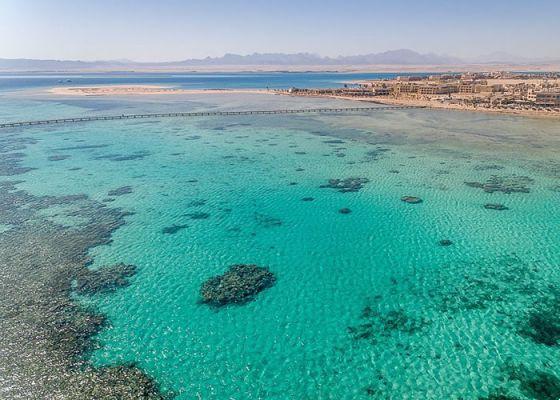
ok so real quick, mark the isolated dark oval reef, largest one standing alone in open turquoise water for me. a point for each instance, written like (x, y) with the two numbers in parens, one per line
(238, 285)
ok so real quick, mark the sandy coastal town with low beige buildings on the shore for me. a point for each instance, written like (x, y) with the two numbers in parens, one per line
(535, 94)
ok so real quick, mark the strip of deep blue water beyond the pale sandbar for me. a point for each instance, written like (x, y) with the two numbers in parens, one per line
(274, 80)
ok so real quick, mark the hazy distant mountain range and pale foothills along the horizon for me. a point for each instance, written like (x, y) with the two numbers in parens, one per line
(403, 57)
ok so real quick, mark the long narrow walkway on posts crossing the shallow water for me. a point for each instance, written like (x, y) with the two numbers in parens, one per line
(200, 114)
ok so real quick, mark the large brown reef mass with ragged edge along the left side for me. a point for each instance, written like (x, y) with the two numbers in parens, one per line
(46, 333)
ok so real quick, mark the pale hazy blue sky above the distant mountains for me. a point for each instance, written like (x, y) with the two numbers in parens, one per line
(174, 30)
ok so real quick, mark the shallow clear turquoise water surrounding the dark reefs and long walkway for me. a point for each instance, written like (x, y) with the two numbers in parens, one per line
(367, 305)
